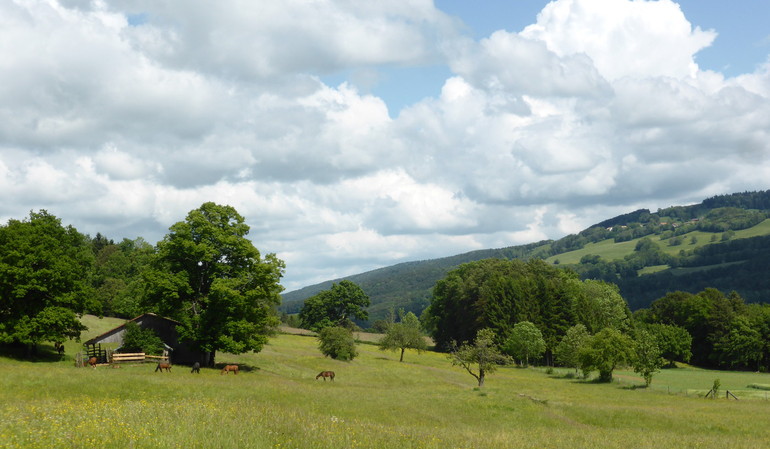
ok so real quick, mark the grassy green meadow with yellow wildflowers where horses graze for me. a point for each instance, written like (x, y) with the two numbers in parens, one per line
(375, 402)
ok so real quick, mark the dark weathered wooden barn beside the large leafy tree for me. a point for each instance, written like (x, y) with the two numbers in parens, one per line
(180, 353)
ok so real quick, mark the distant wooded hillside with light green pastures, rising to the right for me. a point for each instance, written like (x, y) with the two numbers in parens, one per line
(723, 241)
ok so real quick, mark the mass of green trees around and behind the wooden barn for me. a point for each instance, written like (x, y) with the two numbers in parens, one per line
(205, 274)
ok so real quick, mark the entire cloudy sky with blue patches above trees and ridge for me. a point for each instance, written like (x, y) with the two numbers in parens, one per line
(354, 135)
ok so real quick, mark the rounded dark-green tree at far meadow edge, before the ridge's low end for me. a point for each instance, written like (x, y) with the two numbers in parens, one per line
(335, 307)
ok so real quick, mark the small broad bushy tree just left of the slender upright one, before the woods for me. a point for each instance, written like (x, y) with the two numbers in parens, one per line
(604, 352)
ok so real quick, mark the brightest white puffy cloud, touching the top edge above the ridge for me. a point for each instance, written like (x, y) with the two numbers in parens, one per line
(623, 38)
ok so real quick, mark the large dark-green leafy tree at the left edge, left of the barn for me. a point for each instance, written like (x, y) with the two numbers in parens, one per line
(44, 281)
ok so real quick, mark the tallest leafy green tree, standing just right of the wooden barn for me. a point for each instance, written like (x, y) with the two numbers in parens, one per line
(212, 279)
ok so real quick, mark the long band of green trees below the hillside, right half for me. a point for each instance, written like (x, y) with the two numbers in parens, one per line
(533, 311)
